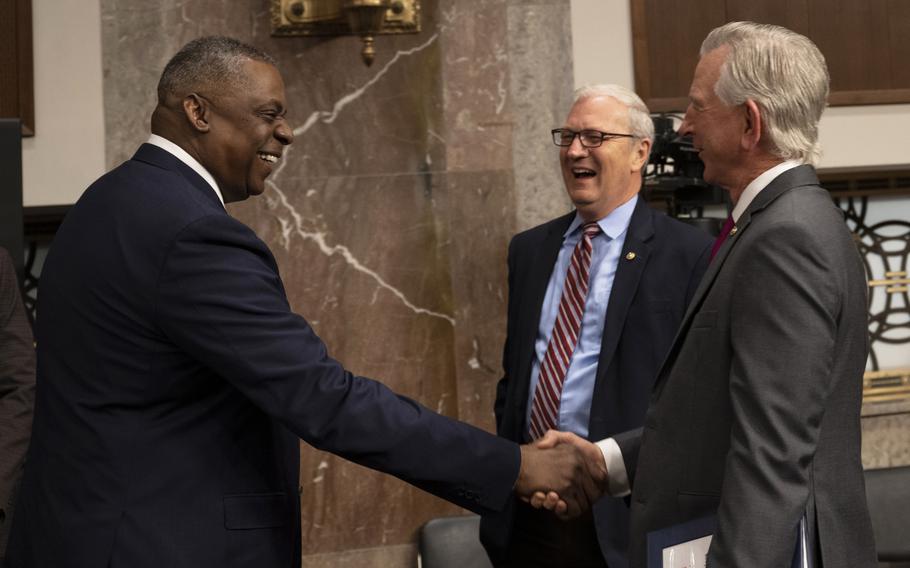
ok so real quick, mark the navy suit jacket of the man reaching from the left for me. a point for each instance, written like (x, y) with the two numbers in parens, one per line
(174, 381)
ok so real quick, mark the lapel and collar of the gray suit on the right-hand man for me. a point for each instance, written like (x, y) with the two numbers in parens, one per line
(790, 179)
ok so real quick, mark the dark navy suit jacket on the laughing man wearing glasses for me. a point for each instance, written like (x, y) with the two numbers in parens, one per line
(647, 302)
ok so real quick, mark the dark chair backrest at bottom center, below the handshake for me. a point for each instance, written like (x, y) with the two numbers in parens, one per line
(452, 542)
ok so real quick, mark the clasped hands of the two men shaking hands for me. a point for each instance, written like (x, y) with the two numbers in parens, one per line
(563, 473)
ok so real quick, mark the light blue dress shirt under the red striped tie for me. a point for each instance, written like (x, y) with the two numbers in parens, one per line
(578, 387)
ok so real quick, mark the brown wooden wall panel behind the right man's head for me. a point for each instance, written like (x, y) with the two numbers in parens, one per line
(866, 44)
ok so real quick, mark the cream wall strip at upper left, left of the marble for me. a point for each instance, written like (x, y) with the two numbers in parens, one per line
(67, 153)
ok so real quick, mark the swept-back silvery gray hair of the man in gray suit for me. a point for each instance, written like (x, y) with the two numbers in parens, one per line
(784, 73)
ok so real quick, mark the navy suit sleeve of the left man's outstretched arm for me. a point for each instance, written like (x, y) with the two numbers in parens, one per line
(221, 300)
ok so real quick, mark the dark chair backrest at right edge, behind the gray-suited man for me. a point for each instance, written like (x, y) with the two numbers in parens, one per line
(888, 494)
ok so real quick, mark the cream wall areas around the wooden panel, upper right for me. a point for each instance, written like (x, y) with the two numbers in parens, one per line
(850, 136)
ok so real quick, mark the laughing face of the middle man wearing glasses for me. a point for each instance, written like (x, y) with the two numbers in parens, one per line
(598, 180)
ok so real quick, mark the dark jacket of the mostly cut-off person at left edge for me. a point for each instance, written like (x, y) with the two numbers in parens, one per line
(17, 390)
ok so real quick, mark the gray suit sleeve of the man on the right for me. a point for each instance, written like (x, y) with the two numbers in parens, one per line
(784, 318)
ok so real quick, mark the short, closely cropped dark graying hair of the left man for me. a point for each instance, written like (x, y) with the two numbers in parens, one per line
(206, 62)
